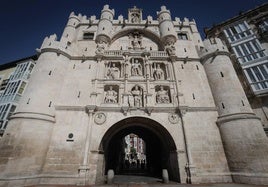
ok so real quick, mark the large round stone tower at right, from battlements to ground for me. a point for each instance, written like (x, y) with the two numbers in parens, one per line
(244, 140)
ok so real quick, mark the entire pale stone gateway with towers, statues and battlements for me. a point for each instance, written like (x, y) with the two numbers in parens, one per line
(107, 78)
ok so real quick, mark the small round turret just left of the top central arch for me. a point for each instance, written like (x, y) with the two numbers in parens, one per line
(105, 25)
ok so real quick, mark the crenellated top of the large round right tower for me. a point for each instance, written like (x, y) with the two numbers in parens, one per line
(213, 47)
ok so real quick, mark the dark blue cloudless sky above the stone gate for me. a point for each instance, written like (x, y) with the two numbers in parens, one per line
(25, 23)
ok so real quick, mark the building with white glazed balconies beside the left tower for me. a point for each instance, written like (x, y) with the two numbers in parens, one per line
(14, 77)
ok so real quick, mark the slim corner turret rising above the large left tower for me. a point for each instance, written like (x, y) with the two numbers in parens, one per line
(69, 31)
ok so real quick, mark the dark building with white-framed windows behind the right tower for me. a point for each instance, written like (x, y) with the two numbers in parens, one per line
(246, 36)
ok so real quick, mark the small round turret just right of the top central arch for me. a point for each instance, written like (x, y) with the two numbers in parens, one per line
(166, 27)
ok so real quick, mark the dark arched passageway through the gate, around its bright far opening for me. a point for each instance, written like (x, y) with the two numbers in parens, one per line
(160, 148)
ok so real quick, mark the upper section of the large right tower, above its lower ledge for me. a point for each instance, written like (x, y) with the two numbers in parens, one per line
(227, 90)
